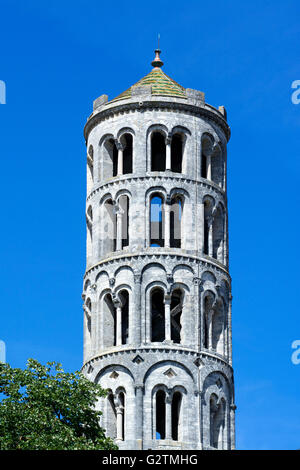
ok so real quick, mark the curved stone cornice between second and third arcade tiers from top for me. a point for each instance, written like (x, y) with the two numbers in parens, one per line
(148, 255)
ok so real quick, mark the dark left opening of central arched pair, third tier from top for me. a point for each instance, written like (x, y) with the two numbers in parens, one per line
(157, 315)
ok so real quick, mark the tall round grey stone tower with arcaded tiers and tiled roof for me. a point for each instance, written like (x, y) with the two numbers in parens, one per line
(157, 291)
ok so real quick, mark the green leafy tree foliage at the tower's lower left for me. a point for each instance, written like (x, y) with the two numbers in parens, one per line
(43, 407)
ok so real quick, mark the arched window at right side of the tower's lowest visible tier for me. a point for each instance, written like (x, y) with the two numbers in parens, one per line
(217, 421)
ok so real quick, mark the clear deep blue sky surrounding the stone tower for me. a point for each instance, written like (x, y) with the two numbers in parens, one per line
(56, 57)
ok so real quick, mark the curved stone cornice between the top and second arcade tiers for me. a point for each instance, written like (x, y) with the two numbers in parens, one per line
(184, 179)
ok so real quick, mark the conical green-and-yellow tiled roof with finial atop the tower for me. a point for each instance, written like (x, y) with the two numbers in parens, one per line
(161, 83)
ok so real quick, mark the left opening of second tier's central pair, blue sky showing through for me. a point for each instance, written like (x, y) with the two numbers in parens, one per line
(157, 221)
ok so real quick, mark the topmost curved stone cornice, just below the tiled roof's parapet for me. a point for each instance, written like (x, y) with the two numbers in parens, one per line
(207, 111)
